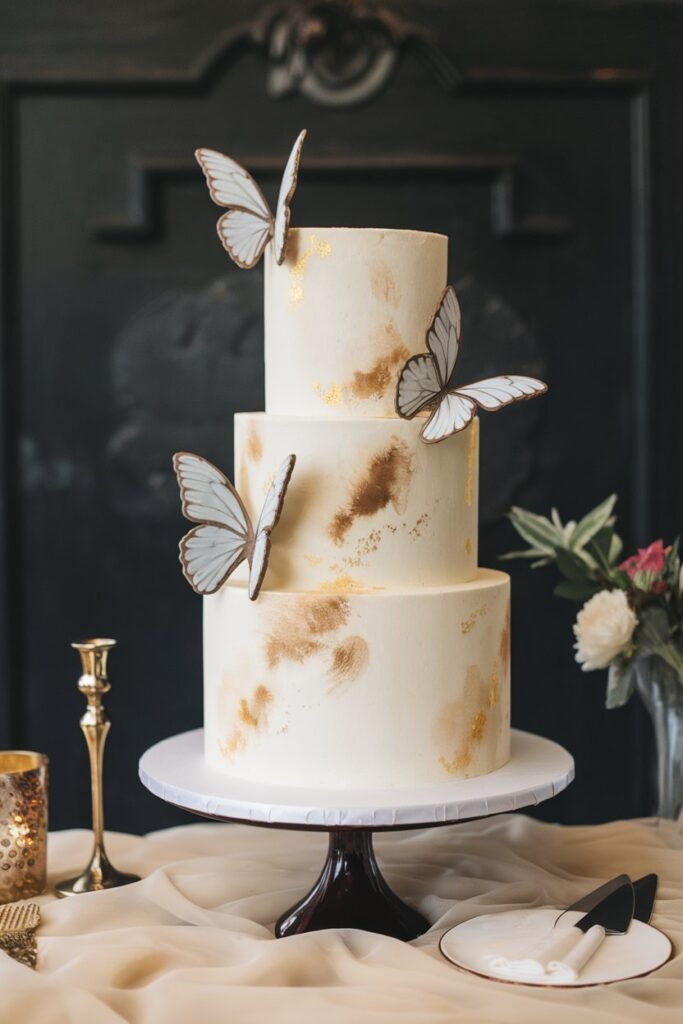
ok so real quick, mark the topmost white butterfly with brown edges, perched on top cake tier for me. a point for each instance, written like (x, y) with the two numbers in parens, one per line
(249, 225)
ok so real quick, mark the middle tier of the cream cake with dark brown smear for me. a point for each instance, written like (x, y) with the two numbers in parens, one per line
(370, 505)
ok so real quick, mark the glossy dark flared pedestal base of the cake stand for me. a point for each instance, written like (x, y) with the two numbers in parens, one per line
(352, 893)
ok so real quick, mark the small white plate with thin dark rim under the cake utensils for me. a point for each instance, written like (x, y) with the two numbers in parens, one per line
(472, 945)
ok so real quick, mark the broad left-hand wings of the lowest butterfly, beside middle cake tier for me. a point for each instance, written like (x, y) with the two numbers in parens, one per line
(211, 551)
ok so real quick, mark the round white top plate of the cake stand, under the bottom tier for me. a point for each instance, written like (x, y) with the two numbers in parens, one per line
(177, 772)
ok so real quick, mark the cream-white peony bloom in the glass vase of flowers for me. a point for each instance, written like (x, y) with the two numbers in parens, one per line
(605, 628)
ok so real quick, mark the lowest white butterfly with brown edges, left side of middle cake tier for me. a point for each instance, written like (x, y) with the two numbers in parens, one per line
(225, 537)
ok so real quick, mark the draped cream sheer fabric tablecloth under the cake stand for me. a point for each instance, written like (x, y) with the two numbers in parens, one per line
(193, 943)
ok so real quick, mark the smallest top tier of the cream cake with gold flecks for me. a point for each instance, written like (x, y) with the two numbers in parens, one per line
(344, 314)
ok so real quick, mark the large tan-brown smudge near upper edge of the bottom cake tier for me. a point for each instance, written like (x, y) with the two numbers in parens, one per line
(295, 634)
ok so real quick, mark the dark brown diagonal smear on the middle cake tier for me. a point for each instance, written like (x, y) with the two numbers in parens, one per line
(386, 482)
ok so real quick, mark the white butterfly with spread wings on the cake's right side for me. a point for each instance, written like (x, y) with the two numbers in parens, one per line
(425, 380)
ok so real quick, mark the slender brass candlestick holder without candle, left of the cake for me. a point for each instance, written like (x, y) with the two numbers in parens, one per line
(100, 874)
